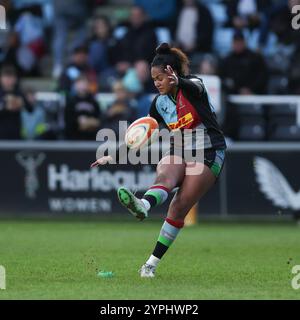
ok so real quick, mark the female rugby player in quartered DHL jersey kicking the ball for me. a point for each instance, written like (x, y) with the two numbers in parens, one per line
(182, 103)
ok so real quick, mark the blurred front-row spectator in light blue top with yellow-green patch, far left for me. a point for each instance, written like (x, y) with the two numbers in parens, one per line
(33, 123)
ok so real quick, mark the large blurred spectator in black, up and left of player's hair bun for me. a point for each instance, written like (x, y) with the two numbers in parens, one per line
(139, 42)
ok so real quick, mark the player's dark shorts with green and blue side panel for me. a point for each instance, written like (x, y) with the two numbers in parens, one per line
(212, 158)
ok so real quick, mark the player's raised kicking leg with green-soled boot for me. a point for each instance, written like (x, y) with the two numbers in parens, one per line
(170, 173)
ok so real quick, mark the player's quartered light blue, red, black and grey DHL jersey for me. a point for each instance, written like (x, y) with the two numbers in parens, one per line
(190, 109)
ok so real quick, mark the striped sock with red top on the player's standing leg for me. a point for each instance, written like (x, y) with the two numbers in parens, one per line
(168, 234)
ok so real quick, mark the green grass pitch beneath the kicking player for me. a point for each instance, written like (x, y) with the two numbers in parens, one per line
(58, 260)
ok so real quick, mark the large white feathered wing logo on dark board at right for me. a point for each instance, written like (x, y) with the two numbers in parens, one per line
(274, 185)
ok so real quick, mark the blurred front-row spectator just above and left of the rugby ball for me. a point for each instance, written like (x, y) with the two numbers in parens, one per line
(122, 109)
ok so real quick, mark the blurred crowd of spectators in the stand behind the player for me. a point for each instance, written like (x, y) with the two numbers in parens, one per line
(249, 44)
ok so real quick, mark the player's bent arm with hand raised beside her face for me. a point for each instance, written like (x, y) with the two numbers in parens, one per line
(192, 86)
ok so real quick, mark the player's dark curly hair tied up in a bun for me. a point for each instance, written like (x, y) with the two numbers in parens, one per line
(166, 55)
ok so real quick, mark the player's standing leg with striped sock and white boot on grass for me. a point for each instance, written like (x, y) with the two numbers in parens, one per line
(192, 189)
